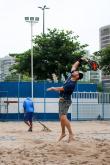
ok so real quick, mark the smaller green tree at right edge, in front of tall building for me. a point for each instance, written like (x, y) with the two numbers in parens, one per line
(104, 59)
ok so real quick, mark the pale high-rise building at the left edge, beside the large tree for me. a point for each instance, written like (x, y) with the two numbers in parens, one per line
(5, 64)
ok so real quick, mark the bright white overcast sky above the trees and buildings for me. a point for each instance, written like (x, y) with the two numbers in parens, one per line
(83, 17)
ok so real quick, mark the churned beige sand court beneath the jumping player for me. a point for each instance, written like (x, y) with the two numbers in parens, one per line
(20, 147)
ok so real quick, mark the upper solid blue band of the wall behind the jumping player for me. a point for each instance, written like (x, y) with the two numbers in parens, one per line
(23, 89)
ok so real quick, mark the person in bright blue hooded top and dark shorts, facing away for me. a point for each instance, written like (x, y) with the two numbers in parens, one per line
(28, 106)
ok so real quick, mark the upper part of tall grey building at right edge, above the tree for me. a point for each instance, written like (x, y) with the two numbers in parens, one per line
(104, 36)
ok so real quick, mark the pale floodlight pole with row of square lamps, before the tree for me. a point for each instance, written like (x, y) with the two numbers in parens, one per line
(32, 20)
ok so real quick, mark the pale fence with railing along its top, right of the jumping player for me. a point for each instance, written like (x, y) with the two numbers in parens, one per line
(90, 106)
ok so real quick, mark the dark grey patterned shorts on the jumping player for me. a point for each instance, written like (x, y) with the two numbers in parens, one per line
(64, 106)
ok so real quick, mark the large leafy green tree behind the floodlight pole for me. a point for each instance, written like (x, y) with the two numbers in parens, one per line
(53, 52)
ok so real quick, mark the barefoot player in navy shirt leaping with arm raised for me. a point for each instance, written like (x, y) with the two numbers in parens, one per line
(65, 98)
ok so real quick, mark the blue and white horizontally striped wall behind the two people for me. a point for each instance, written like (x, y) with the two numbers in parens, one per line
(46, 104)
